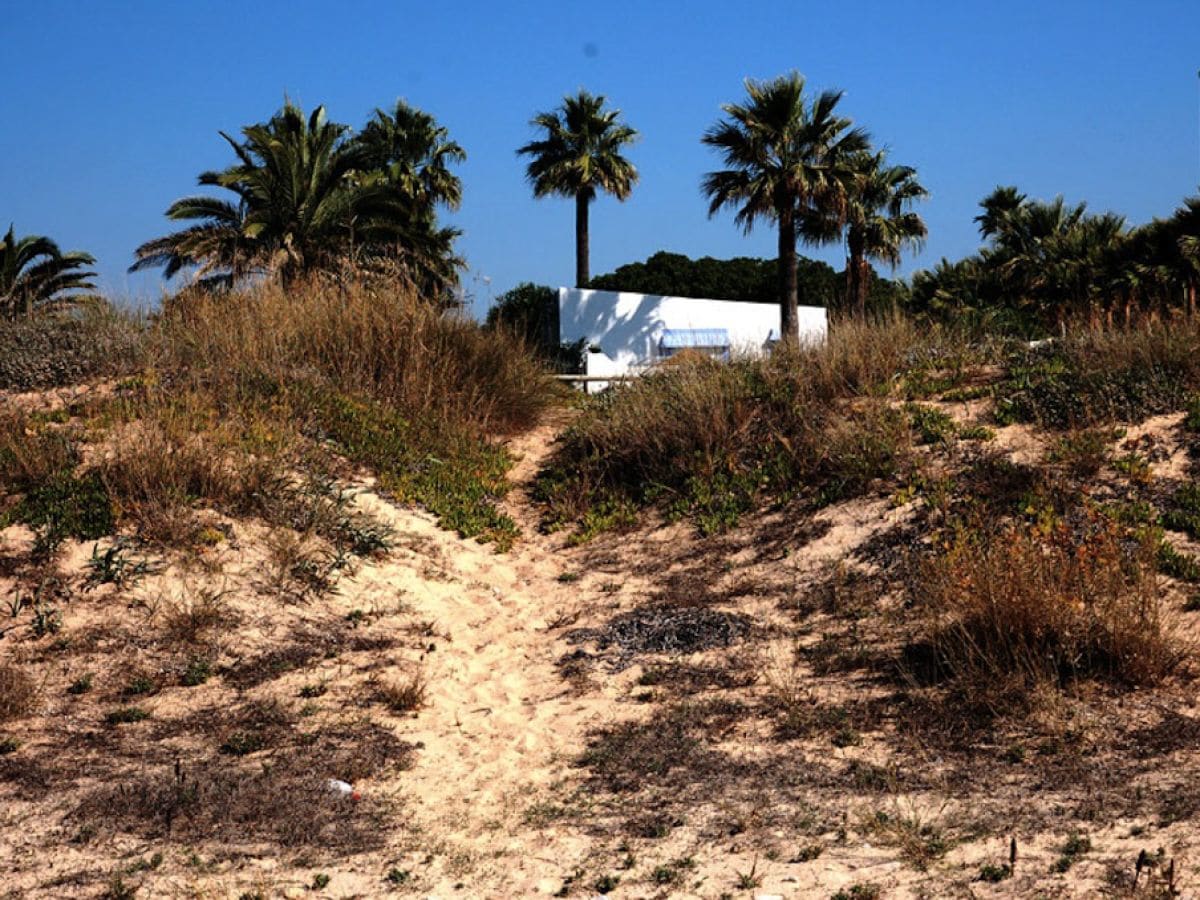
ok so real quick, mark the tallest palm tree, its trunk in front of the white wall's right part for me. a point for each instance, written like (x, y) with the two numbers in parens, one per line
(787, 158)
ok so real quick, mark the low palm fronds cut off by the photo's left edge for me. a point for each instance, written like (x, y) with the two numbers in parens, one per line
(35, 273)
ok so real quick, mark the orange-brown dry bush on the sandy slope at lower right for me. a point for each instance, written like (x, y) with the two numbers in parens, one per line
(1015, 609)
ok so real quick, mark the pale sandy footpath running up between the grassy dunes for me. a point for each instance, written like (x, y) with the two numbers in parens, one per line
(501, 724)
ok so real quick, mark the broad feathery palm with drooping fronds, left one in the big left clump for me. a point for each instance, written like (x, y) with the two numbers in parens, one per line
(299, 207)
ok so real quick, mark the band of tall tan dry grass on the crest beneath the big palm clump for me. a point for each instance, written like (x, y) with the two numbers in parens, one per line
(374, 340)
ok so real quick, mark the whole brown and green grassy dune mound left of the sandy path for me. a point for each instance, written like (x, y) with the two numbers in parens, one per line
(244, 395)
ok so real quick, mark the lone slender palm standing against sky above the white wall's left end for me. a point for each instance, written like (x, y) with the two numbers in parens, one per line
(580, 155)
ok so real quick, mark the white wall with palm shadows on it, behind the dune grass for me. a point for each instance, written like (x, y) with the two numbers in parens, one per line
(628, 327)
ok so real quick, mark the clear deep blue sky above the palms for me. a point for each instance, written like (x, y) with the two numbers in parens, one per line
(111, 110)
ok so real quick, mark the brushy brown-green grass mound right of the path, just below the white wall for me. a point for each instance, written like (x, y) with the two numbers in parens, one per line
(712, 440)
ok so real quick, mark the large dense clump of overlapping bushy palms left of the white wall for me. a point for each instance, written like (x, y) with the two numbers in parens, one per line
(313, 196)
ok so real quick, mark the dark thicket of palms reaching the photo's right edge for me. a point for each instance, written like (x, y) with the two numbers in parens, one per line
(1048, 261)
